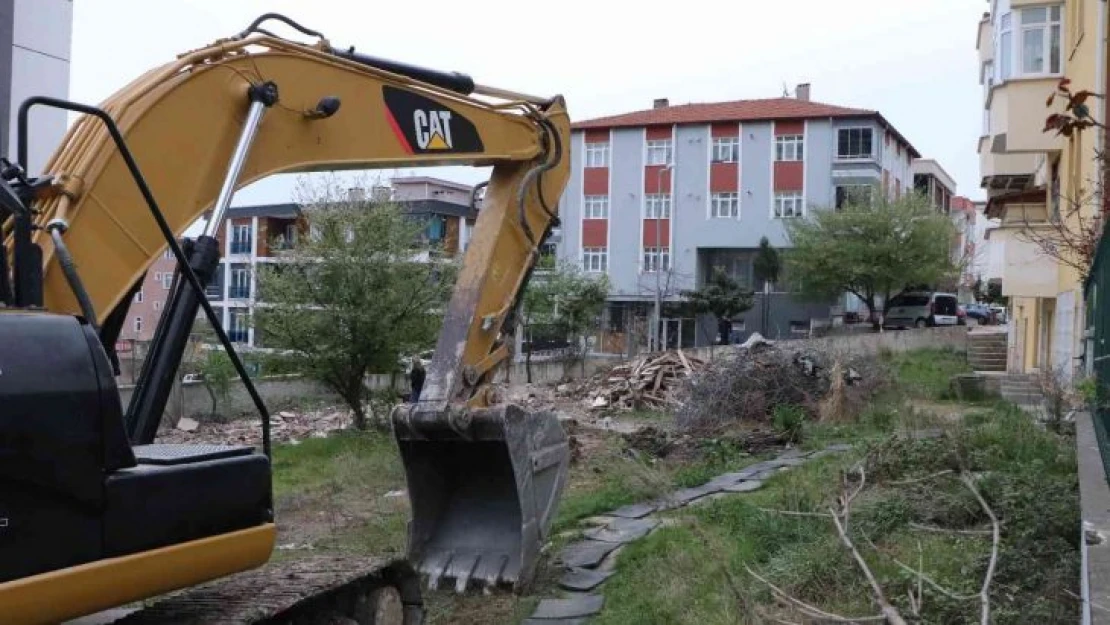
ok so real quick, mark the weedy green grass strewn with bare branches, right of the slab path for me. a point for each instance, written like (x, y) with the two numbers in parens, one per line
(694, 573)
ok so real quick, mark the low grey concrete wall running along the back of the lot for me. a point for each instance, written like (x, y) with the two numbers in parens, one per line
(193, 399)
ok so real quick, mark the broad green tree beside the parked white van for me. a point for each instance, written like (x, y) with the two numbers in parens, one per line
(873, 251)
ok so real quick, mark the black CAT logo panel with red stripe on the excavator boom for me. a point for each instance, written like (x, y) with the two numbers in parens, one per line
(426, 126)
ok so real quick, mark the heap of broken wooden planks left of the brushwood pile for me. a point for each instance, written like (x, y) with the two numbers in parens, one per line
(644, 384)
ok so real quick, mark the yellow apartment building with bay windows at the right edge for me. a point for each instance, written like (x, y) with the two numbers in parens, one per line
(1033, 177)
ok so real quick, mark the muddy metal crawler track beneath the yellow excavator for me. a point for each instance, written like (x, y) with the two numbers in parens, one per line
(312, 591)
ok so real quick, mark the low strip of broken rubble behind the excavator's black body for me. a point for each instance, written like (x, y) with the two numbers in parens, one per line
(286, 427)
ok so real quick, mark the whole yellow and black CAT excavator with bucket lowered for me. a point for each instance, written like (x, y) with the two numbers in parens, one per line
(95, 513)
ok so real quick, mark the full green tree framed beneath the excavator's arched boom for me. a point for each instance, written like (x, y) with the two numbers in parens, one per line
(355, 296)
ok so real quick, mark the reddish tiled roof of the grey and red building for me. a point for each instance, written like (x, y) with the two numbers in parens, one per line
(738, 110)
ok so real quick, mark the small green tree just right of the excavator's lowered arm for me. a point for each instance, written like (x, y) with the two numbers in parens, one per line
(562, 301)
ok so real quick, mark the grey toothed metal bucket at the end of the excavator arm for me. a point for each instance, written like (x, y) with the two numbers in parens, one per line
(483, 495)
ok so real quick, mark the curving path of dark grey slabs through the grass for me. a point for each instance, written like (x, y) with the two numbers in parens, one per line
(591, 561)
